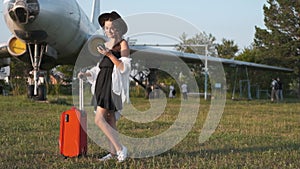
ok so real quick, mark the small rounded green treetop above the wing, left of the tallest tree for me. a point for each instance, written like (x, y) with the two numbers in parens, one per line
(227, 49)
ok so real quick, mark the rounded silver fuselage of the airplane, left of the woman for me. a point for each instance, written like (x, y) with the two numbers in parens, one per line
(61, 25)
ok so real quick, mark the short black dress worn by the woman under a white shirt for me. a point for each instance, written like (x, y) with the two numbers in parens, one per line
(103, 90)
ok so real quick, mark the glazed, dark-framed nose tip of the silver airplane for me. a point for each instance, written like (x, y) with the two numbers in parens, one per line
(23, 11)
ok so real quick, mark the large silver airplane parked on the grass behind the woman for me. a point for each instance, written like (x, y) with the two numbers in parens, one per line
(48, 33)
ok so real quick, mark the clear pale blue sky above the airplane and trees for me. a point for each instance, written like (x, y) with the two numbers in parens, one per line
(230, 19)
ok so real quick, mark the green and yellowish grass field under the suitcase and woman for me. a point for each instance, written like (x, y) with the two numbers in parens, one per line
(251, 134)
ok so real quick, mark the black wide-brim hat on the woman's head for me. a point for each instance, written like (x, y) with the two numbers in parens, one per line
(116, 19)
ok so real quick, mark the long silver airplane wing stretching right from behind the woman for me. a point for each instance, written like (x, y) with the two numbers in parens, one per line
(157, 54)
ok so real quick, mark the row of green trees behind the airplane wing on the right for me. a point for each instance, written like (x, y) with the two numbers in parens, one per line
(278, 45)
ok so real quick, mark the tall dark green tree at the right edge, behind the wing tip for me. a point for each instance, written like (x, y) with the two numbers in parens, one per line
(279, 43)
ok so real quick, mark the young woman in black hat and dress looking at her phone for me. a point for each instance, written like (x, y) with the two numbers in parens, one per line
(112, 81)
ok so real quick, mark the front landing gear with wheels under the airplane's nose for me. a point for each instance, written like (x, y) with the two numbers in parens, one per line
(36, 82)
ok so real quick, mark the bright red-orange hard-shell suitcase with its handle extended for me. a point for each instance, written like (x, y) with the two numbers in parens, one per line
(73, 125)
